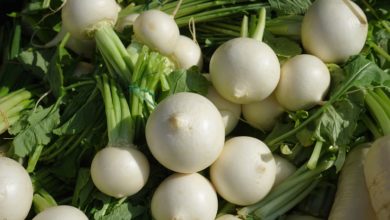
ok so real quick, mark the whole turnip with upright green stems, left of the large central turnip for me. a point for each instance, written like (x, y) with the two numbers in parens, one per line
(118, 170)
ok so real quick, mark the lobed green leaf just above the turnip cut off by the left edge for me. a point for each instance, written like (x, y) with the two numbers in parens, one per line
(41, 122)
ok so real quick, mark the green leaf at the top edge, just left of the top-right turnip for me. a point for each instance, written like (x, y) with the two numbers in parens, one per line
(289, 7)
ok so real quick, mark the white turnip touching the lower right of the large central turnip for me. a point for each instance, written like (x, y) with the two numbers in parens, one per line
(245, 171)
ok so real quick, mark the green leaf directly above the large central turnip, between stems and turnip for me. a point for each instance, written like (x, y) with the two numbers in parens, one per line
(190, 80)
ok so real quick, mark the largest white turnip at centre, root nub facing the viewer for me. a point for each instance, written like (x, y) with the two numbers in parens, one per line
(185, 132)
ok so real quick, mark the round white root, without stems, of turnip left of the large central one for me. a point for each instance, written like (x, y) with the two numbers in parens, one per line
(119, 171)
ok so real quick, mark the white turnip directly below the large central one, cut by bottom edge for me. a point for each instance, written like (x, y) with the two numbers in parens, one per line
(185, 197)
